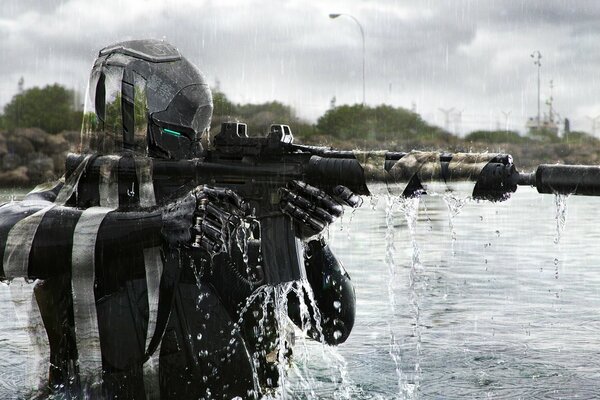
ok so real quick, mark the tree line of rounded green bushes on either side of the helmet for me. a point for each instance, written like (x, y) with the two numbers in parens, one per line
(52, 108)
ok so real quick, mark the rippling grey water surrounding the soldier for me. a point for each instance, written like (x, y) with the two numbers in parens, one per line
(498, 317)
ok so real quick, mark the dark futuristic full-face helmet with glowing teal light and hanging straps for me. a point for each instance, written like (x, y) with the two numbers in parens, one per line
(143, 97)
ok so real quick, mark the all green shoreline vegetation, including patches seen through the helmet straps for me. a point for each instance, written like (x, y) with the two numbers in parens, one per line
(344, 126)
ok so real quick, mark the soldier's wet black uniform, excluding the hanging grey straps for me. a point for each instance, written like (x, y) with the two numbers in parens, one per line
(202, 352)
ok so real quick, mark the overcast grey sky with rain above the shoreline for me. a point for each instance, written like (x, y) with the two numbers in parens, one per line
(469, 55)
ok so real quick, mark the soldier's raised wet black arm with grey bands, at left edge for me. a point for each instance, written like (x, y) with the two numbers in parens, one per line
(36, 237)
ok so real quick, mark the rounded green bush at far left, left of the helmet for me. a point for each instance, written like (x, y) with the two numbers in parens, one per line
(49, 108)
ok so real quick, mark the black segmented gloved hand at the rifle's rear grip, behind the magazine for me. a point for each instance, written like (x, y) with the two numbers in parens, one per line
(218, 214)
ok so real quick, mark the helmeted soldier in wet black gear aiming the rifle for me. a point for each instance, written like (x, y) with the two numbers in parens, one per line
(136, 275)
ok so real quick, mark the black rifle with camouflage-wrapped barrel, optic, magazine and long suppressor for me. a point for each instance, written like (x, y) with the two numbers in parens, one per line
(257, 167)
